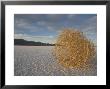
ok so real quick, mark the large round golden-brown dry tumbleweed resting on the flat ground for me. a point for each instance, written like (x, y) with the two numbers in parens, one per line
(72, 49)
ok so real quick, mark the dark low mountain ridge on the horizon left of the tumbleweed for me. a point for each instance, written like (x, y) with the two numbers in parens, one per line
(30, 43)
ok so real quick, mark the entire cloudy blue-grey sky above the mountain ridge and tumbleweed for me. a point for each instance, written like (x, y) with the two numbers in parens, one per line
(46, 27)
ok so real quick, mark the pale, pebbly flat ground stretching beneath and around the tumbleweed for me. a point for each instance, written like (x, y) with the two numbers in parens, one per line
(39, 61)
